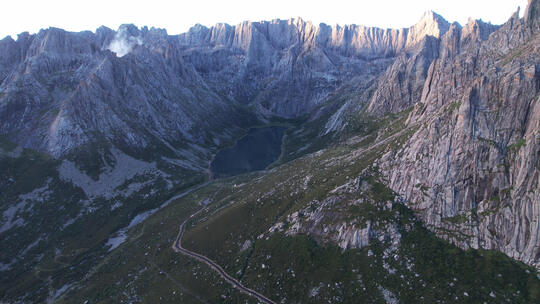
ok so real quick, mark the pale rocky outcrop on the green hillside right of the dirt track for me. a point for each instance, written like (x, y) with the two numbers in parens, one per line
(348, 217)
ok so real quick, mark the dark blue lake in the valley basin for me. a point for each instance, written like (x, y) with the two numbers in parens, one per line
(255, 151)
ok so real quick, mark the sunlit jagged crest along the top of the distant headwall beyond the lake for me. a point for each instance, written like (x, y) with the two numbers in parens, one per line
(358, 40)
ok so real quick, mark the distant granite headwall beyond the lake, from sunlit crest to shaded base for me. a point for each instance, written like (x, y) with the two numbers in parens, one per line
(287, 68)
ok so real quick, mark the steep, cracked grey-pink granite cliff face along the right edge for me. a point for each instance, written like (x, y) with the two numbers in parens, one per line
(471, 171)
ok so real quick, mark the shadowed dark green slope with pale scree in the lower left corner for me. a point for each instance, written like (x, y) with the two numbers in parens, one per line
(54, 235)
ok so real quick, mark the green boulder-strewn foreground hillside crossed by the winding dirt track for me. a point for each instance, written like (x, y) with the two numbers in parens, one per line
(323, 228)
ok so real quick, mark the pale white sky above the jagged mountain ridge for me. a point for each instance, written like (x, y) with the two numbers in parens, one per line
(178, 16)
